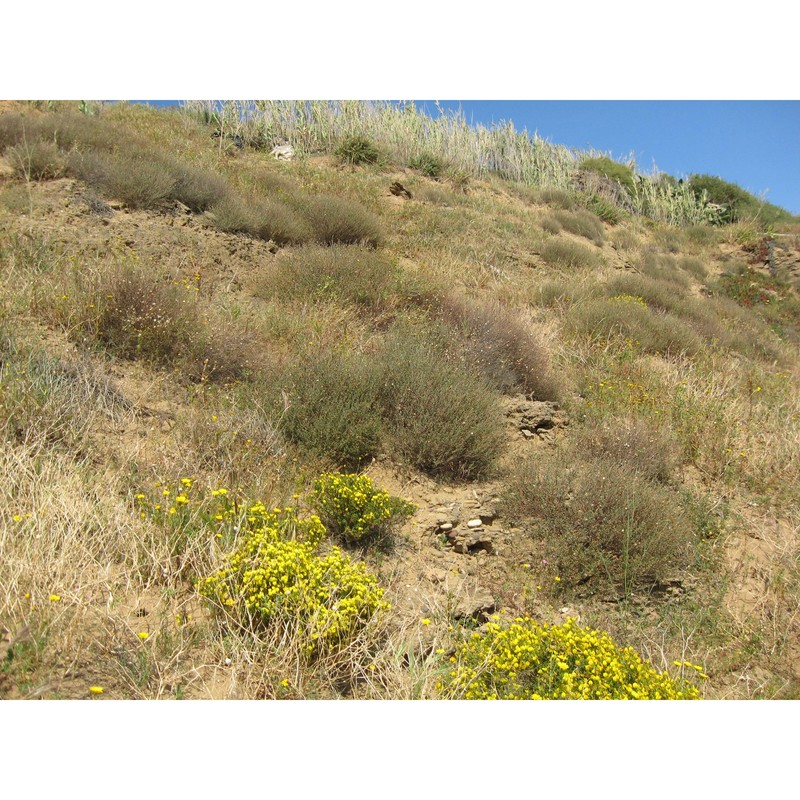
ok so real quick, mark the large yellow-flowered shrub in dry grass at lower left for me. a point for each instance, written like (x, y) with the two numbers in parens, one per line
(276, 573)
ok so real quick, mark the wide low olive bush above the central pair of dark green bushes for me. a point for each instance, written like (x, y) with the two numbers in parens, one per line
(340, 272)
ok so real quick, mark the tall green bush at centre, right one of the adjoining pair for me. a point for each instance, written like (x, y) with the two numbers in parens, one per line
(441, 418)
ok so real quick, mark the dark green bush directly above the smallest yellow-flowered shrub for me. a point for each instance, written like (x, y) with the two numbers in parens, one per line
(329, 407)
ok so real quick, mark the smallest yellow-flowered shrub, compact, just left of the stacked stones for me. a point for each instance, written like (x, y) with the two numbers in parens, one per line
(352, 507)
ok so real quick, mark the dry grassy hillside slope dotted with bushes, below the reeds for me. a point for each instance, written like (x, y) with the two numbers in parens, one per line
(593, 421)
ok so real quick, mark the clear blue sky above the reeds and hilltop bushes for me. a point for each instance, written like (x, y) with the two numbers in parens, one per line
(755, 144)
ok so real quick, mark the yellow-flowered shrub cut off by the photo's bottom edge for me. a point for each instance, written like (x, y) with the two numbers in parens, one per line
(532, 661)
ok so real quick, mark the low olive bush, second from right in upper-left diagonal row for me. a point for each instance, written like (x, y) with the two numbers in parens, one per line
(267, 219)
